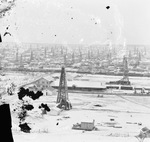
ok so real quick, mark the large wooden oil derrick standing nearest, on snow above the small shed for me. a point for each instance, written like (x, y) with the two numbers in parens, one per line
(62, 97)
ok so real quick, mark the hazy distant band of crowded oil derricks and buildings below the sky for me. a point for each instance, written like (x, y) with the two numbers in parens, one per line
(87, 59)
